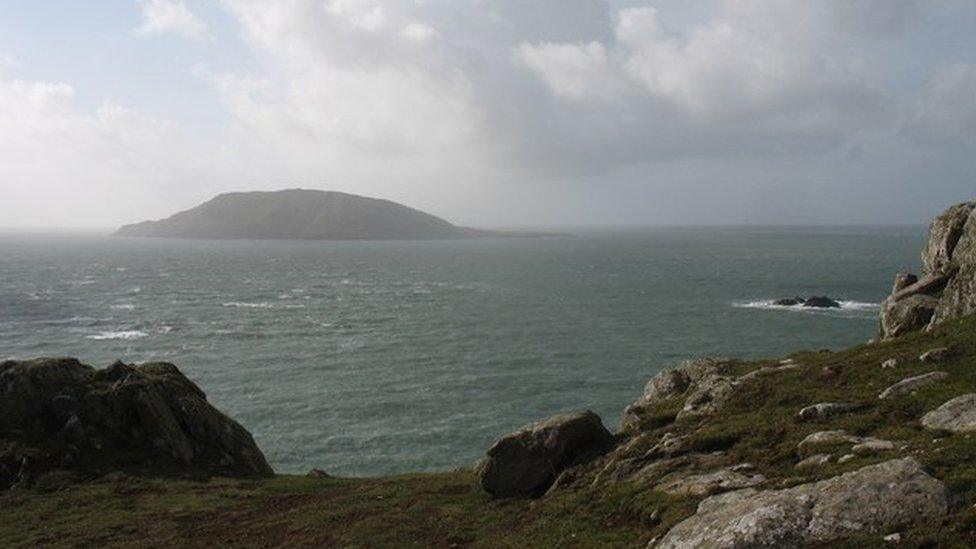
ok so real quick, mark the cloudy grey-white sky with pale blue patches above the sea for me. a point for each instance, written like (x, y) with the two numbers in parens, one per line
(494, 113)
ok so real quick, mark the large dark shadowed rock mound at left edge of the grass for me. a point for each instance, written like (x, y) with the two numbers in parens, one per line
(61, 414)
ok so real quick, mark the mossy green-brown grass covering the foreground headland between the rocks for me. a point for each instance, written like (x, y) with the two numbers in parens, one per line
(448, 510)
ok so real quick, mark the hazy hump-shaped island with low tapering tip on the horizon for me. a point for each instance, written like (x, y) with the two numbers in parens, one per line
(308, 214)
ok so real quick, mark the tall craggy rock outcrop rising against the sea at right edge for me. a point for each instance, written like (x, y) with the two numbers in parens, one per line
(947, 288)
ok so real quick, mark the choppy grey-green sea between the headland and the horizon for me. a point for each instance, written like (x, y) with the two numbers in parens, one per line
(374, 357)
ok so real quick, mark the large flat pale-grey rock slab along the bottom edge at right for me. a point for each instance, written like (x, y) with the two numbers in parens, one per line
(871, 499)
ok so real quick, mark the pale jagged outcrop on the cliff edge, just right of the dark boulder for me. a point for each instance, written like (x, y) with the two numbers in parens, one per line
(704, 382)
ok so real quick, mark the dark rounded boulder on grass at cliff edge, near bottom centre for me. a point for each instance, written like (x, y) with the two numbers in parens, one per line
(527, 461)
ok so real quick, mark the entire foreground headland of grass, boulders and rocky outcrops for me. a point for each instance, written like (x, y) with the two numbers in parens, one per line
(868, 447)
